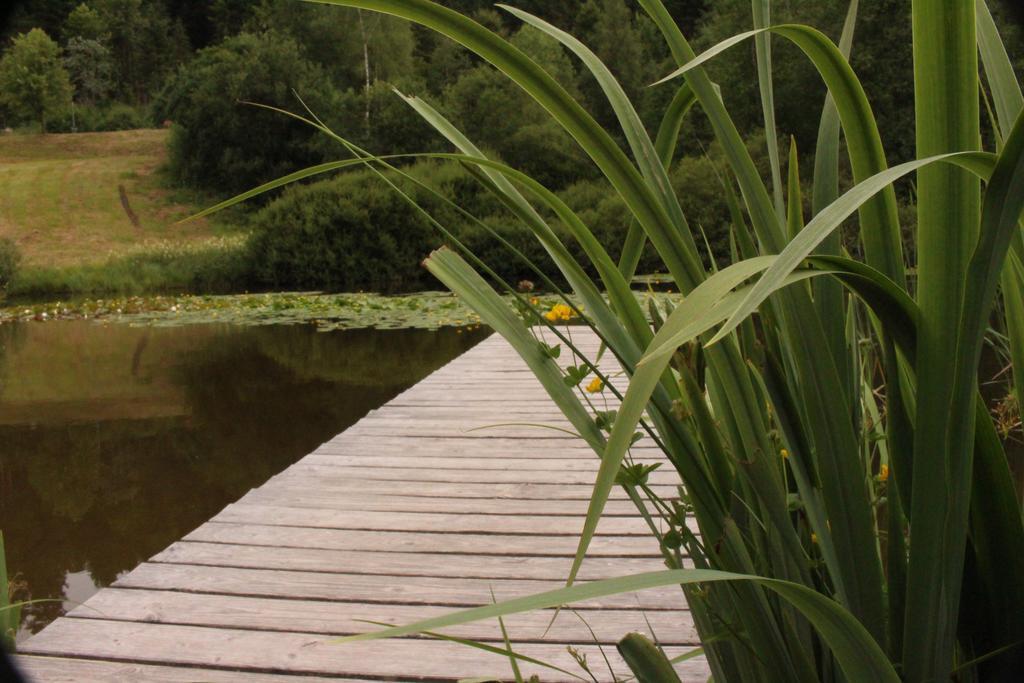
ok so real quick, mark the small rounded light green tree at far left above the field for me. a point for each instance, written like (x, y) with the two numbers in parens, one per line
(34, 84)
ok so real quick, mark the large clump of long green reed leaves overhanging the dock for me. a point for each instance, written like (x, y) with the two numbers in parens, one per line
(782, 386)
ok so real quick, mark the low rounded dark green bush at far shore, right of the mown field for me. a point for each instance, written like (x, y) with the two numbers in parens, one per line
(355, 232)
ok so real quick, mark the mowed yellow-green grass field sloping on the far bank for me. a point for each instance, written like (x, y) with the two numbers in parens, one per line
(60, 198)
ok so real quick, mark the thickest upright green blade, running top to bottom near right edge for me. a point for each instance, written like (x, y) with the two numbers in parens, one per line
(949, 215)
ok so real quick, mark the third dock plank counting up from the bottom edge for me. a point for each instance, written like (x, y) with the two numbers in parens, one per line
(343, 619)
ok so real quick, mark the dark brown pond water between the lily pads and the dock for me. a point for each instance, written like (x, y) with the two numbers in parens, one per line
(117, 441)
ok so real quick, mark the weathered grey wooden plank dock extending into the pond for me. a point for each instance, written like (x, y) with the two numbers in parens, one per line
(406, 516)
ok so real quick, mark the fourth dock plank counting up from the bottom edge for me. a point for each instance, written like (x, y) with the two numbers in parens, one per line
(381, 588)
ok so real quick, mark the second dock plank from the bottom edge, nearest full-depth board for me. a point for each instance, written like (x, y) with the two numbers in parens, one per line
(306, 654)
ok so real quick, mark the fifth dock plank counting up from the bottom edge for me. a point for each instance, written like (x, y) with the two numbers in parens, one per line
(396, 564)
